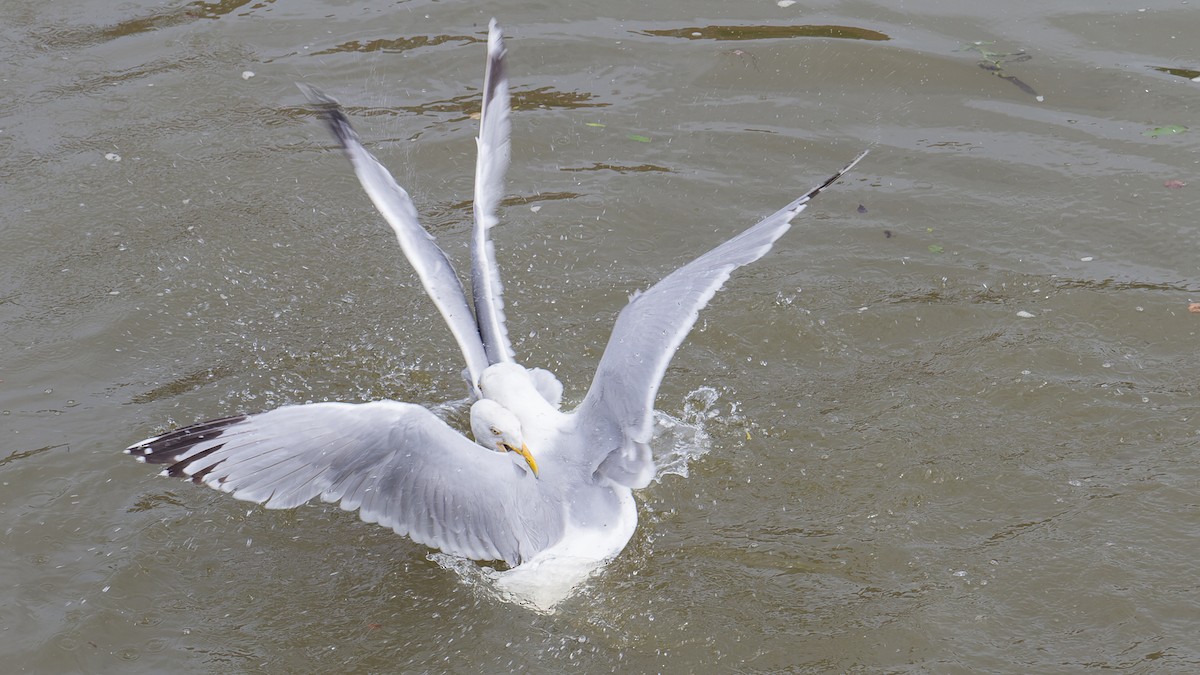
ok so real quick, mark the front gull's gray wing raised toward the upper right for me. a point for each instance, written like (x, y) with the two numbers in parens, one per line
(620, 407)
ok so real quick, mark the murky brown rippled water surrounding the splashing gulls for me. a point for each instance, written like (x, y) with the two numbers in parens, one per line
(955, 426)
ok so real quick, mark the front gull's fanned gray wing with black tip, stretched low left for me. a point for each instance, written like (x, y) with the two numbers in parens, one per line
(397, 464)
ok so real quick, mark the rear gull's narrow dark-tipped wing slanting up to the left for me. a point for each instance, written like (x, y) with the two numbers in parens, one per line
(423, 253)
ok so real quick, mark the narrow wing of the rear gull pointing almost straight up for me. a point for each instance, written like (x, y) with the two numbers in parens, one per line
(494, 147)
